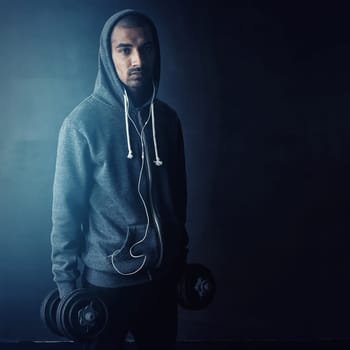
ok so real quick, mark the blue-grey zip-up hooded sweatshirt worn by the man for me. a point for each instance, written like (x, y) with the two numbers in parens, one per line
(119, 193)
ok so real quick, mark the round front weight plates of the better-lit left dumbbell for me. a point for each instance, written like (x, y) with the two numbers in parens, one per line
(81, 316)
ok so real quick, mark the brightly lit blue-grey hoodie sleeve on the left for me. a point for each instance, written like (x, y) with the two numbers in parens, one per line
(69, 207)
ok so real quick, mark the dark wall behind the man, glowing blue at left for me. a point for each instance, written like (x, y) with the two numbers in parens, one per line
(262, 90)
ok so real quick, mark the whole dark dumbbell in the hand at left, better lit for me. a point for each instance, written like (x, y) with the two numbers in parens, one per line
(79, 316)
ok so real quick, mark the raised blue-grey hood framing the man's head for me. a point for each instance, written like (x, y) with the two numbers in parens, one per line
(108, 86)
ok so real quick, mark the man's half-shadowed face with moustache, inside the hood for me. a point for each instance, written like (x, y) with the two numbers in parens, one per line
(133, 55)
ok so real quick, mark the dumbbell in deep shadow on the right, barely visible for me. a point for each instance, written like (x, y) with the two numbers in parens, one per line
(196, 287)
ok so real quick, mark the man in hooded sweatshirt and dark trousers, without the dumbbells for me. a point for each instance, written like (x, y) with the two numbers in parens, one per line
(119, 197)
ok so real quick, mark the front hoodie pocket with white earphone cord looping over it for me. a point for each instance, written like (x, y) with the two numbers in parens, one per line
(139, 252)
